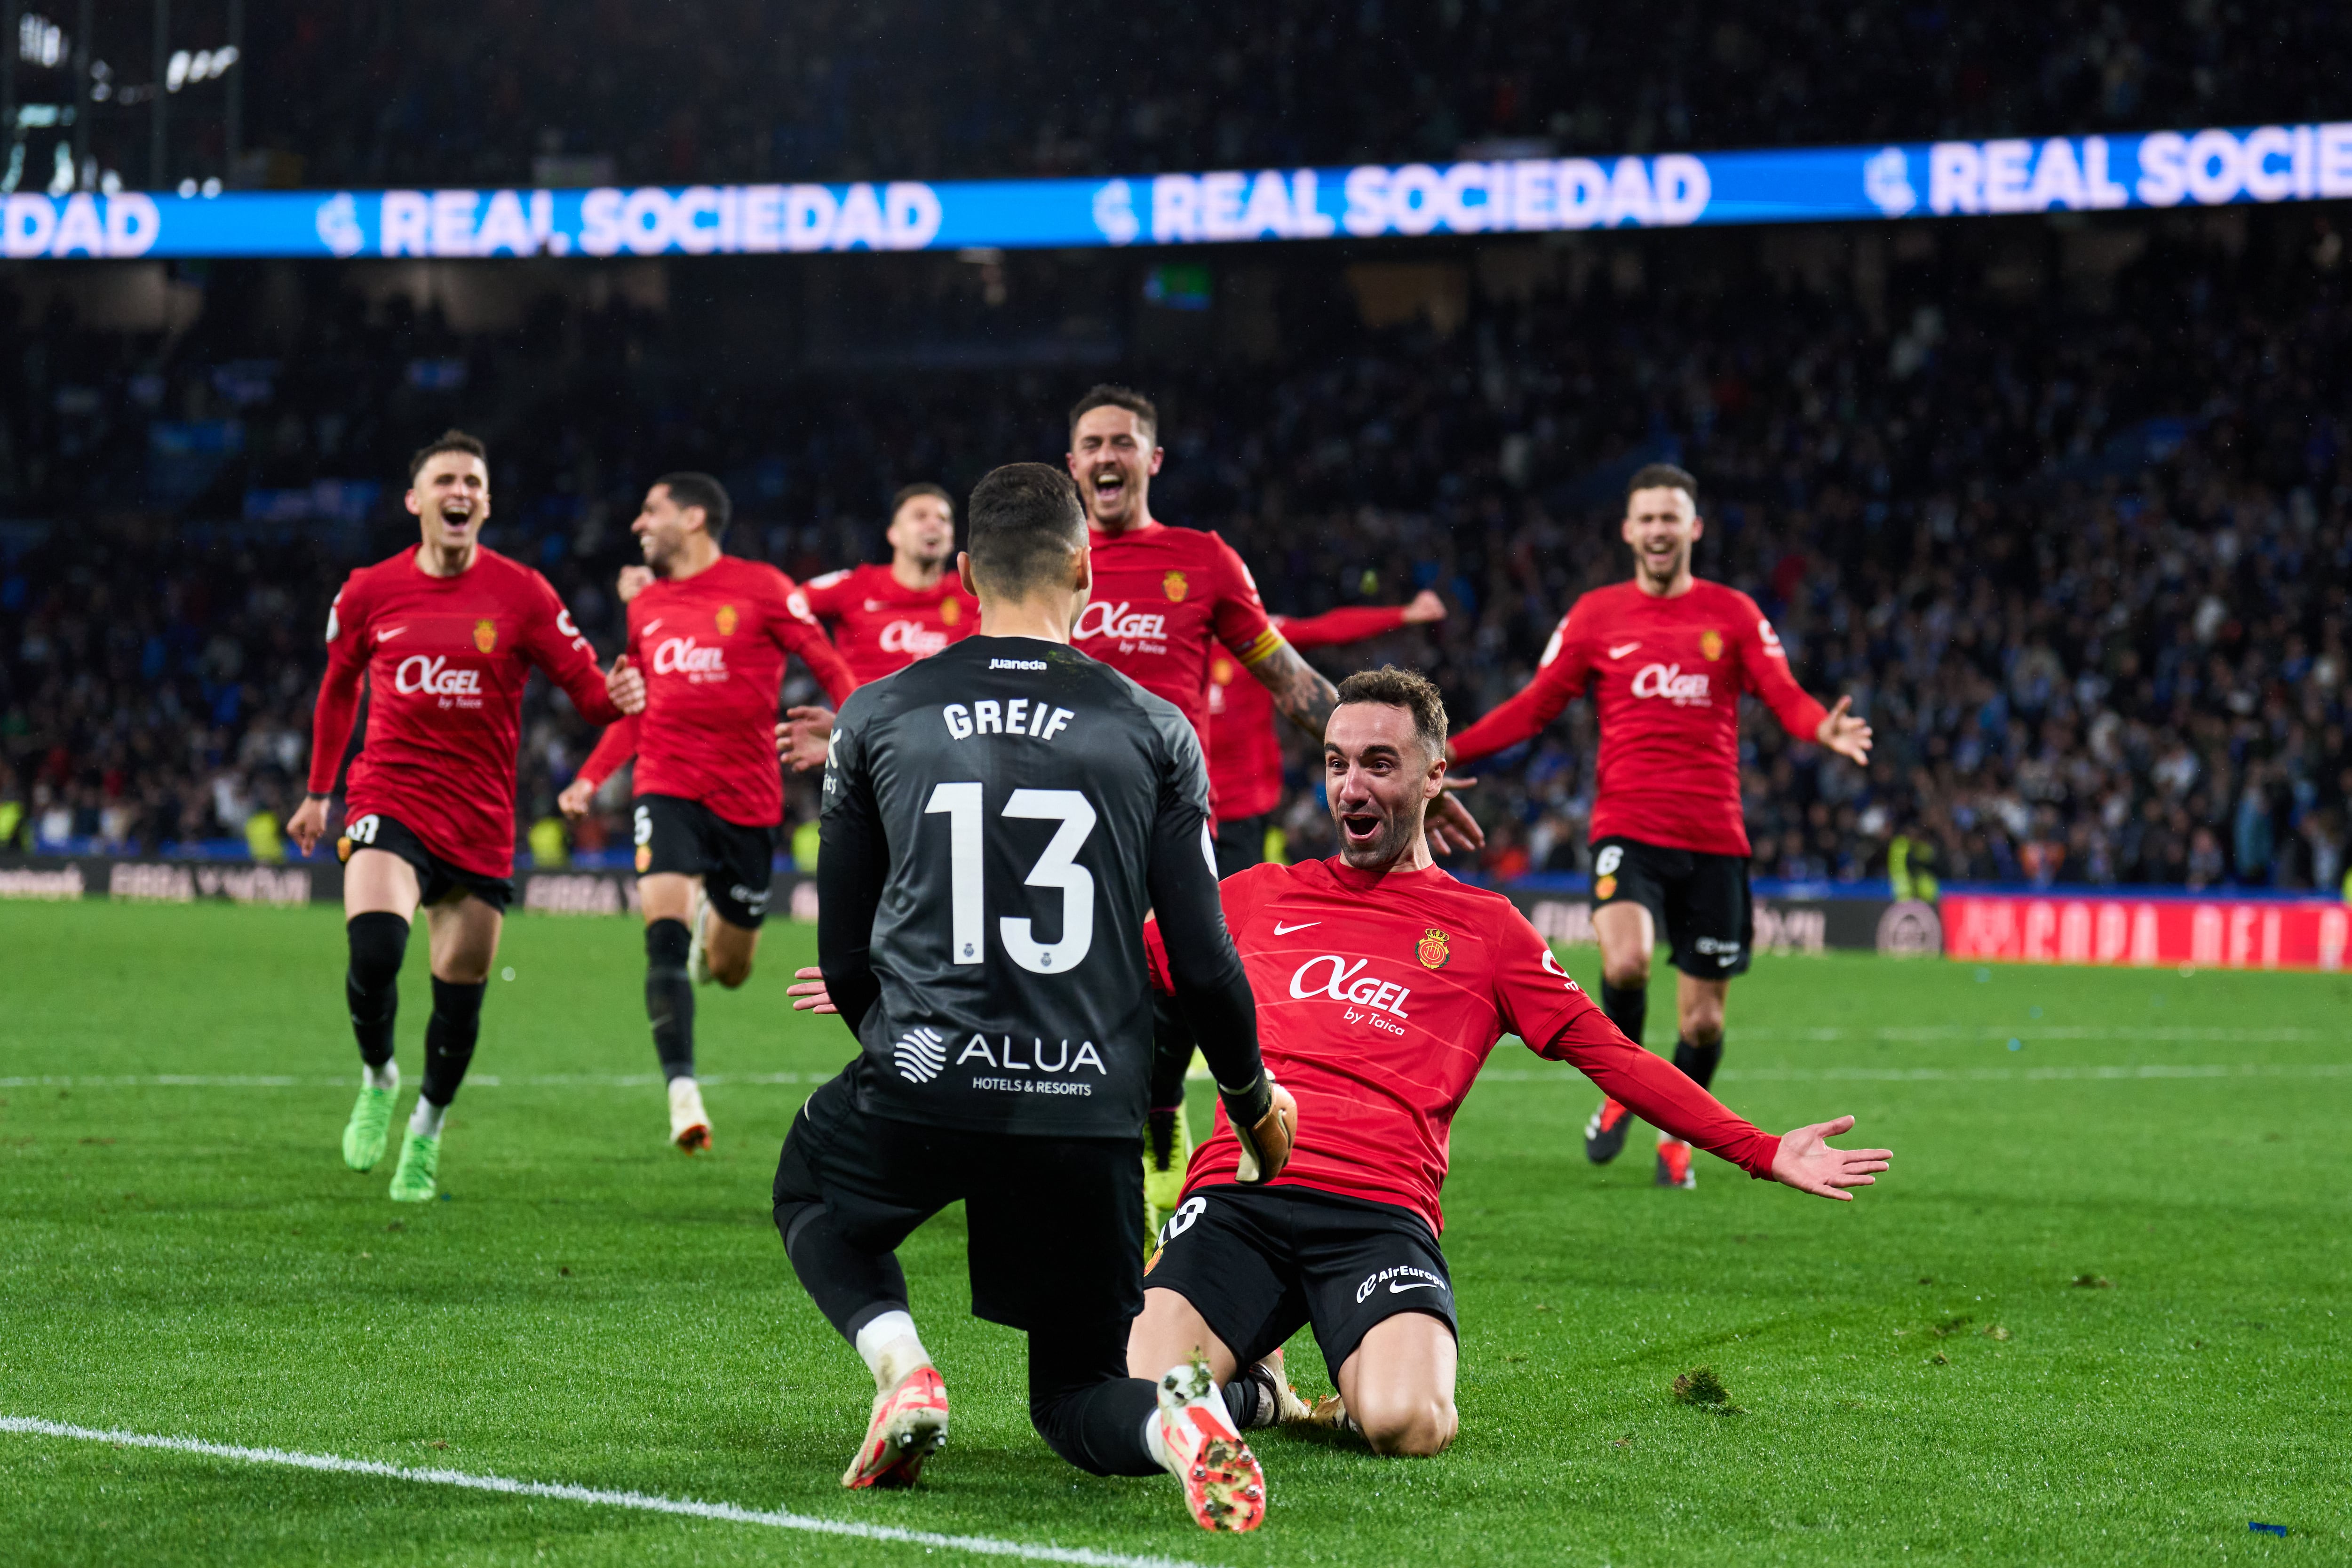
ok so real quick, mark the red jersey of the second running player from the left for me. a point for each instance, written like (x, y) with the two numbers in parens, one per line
(714, 652)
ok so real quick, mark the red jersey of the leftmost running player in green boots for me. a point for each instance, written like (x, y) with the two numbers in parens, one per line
(446, 664)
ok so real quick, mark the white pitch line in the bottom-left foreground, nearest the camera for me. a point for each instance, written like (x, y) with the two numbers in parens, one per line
(982, 1546)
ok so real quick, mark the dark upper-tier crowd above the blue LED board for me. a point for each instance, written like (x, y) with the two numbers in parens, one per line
(935, 91)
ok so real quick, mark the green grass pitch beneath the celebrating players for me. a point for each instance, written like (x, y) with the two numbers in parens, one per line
(1920, 1376)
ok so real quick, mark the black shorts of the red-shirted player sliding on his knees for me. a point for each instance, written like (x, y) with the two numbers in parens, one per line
(1264, 1261)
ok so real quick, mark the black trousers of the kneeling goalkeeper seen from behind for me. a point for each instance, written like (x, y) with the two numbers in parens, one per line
(1055, 1249)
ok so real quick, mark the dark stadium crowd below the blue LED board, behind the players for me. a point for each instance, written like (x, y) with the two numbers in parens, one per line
(2097, 617)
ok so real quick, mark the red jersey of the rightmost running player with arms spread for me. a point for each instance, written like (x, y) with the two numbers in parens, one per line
(1669, 681)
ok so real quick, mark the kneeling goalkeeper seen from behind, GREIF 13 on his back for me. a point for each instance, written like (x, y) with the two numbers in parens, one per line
(996, 824)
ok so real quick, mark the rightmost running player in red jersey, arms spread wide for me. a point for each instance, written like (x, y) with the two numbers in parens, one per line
(1669, 659)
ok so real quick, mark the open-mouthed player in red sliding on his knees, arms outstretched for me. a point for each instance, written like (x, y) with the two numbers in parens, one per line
(1382, 986)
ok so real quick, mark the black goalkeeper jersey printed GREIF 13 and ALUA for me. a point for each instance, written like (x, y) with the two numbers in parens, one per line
(998, 819)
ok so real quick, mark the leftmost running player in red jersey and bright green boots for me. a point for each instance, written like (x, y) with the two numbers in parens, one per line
(446, 636)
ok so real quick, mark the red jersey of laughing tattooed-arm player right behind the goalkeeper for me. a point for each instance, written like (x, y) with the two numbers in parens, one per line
(1163, 601)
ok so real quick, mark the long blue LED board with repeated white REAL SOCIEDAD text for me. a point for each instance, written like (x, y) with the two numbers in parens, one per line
(2207, 168)
